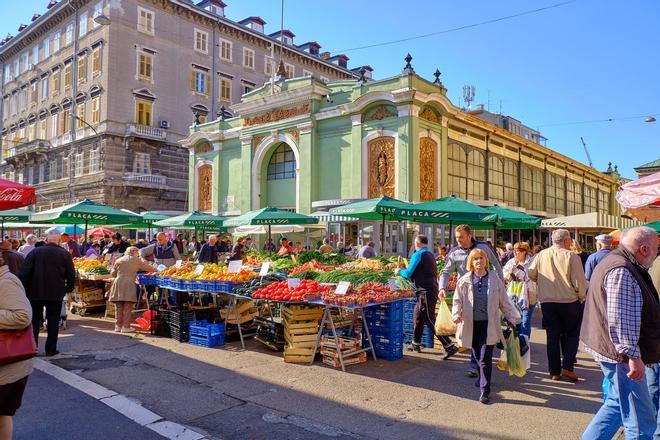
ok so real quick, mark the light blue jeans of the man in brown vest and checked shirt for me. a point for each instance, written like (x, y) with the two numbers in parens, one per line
(628, 402)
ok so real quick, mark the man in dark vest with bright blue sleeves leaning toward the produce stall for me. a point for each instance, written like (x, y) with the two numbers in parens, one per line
(423, 272)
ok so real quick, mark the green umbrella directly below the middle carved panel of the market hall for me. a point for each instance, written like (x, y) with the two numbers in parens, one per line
(381, 208)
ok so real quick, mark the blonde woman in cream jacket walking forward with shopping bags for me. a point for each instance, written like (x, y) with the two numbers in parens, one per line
(479, 298)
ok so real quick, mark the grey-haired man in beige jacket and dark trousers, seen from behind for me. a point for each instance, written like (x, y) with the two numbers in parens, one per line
(561, 291)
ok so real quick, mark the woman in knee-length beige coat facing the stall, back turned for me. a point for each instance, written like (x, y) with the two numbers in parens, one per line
(123, 292)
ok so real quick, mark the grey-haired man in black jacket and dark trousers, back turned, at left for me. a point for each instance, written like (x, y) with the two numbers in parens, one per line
(47, 275)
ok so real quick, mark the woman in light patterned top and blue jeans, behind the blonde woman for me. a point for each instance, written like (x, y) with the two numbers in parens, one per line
(515, 270)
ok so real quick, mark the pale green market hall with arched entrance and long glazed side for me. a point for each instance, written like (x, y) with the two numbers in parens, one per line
(305, 145)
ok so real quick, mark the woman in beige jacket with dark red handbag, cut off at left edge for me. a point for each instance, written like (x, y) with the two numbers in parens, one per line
(15, 314)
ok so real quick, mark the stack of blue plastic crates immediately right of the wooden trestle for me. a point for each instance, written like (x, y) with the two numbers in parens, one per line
(385, 323)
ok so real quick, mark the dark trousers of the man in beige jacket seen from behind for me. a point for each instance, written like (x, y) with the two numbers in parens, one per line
(562, 327)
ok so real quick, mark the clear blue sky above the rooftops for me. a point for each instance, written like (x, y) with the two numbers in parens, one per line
(587, 60)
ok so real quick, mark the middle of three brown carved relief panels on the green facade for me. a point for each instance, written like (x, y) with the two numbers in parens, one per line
(381, 167)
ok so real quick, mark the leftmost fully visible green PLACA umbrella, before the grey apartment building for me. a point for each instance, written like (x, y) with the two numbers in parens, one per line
(87, 212)
